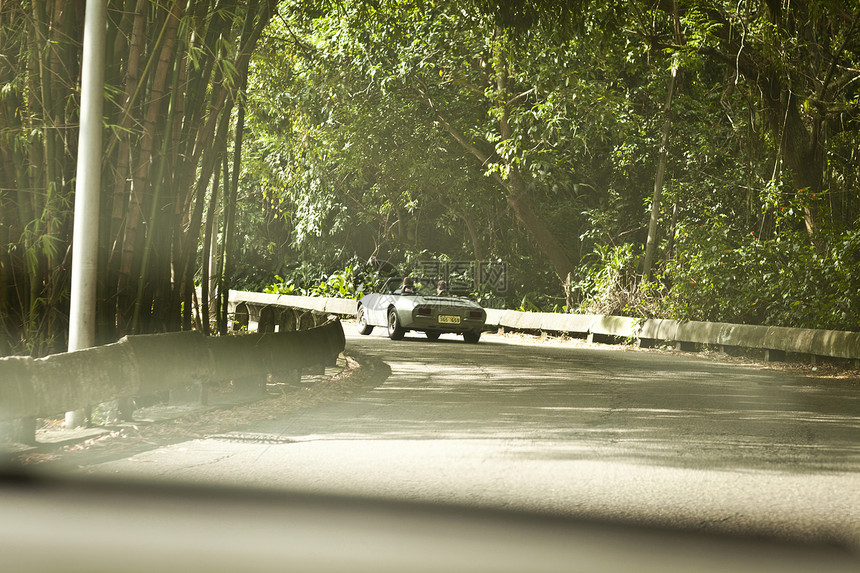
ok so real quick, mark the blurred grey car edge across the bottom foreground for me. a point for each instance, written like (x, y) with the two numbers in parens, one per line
(50, 522)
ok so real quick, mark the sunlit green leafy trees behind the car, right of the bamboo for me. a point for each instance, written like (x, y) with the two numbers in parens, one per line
(351, 155)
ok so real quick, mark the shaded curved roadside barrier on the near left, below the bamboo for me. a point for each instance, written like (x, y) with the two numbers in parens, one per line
(148, 364)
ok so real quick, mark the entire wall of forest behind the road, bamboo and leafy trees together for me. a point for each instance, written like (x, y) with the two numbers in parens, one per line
(689, 159)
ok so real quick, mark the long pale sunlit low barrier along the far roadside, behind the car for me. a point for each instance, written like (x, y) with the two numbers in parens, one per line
(774, 340)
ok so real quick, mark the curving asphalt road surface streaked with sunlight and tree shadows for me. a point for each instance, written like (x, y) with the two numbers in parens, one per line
(564, 428)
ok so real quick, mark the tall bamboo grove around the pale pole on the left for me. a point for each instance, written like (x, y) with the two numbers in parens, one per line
(175, 74)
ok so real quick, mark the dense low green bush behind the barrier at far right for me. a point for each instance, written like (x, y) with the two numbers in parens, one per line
(721, 275)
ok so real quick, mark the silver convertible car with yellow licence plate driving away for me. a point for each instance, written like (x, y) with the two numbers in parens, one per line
(419, 308)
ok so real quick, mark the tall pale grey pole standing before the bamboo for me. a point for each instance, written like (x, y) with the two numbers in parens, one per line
(82, 315)
